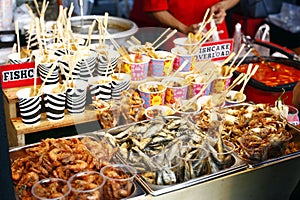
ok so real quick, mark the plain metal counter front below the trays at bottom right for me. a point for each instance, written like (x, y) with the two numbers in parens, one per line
(269, 182)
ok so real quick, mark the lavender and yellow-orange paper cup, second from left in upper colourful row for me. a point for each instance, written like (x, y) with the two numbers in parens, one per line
(162, 66)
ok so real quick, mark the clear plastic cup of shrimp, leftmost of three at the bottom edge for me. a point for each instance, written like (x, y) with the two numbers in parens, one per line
(51, 189)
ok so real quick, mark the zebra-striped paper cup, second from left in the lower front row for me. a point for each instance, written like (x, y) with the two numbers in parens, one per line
(55, 102)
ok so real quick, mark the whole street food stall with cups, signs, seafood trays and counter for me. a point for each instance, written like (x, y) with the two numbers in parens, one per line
(174, 120)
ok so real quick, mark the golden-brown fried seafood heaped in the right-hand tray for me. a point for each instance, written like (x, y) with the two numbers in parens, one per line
(256, 132)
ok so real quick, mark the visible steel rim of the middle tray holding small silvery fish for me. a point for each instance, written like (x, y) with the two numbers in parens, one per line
(156, 190)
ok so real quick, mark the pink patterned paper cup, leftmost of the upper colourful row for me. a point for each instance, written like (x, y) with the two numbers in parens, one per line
(137, 71)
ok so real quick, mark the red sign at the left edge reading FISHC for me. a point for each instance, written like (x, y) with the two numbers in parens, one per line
(16, 75)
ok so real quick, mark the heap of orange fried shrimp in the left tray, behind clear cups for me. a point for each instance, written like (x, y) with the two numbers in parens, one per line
(52, 158)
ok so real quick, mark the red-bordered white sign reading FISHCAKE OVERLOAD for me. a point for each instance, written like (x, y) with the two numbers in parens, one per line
(218, 50)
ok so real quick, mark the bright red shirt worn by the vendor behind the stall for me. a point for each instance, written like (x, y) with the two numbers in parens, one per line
(188, 12)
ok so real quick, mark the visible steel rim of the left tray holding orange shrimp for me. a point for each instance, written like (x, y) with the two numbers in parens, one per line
(17, 152)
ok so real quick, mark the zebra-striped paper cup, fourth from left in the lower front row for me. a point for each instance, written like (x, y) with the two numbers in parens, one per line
(100, 88)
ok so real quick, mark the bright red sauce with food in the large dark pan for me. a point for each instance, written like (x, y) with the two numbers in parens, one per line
(282, 74)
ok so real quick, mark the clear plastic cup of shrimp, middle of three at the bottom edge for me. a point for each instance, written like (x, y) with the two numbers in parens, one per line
(87, 185)
